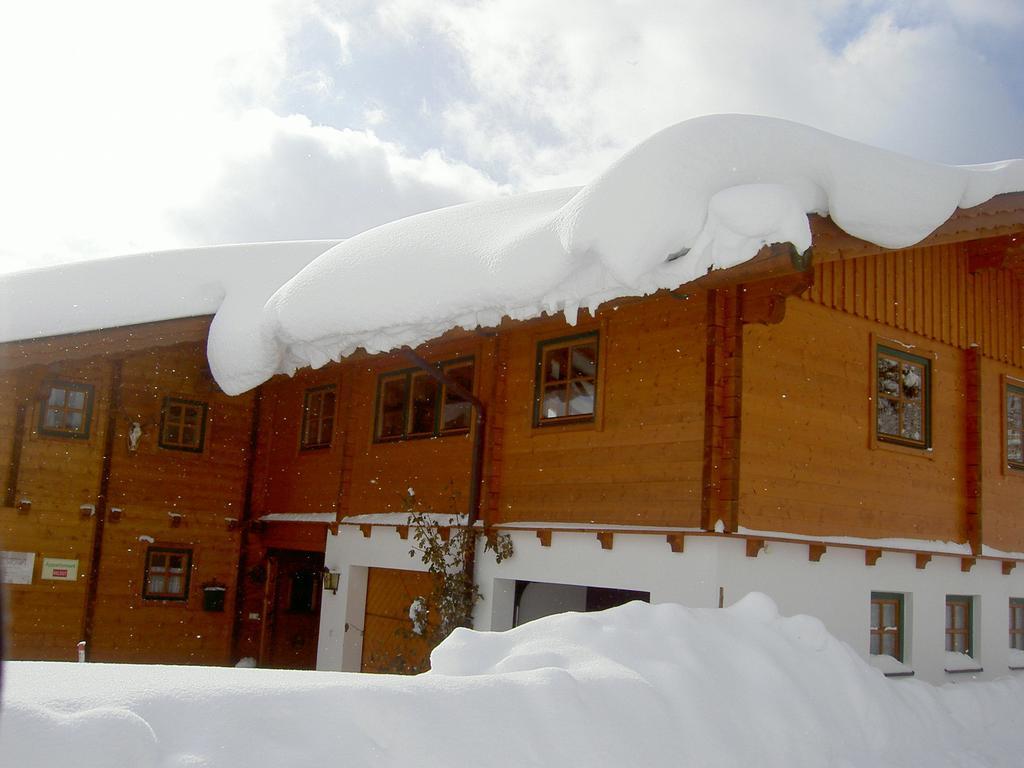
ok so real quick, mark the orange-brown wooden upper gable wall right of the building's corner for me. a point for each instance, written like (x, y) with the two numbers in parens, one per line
(809, 463)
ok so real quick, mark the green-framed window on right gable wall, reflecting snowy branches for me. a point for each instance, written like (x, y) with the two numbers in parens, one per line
(903, 401)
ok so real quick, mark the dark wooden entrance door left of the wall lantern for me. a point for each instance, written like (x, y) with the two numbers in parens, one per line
(292, 611)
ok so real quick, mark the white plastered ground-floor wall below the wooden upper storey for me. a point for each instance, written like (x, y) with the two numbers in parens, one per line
(837, 589)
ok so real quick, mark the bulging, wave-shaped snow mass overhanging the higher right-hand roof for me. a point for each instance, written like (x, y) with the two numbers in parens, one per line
(705, 194)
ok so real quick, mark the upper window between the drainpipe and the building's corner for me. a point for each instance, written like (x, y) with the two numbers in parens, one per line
(567, 380)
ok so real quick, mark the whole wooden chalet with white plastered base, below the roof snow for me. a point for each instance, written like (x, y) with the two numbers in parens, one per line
(842, 430)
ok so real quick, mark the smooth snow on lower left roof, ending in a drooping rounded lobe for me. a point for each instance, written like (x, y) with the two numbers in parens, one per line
(231, 282)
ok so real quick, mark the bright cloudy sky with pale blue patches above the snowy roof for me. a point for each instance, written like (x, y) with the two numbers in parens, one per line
(132, 126)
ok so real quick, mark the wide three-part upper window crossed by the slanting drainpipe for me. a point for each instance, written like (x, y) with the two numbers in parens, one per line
(413, 404)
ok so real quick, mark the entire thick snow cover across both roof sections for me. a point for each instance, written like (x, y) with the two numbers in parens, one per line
(705, 194)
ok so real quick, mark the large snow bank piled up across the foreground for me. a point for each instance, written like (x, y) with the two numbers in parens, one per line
(634, 687)
